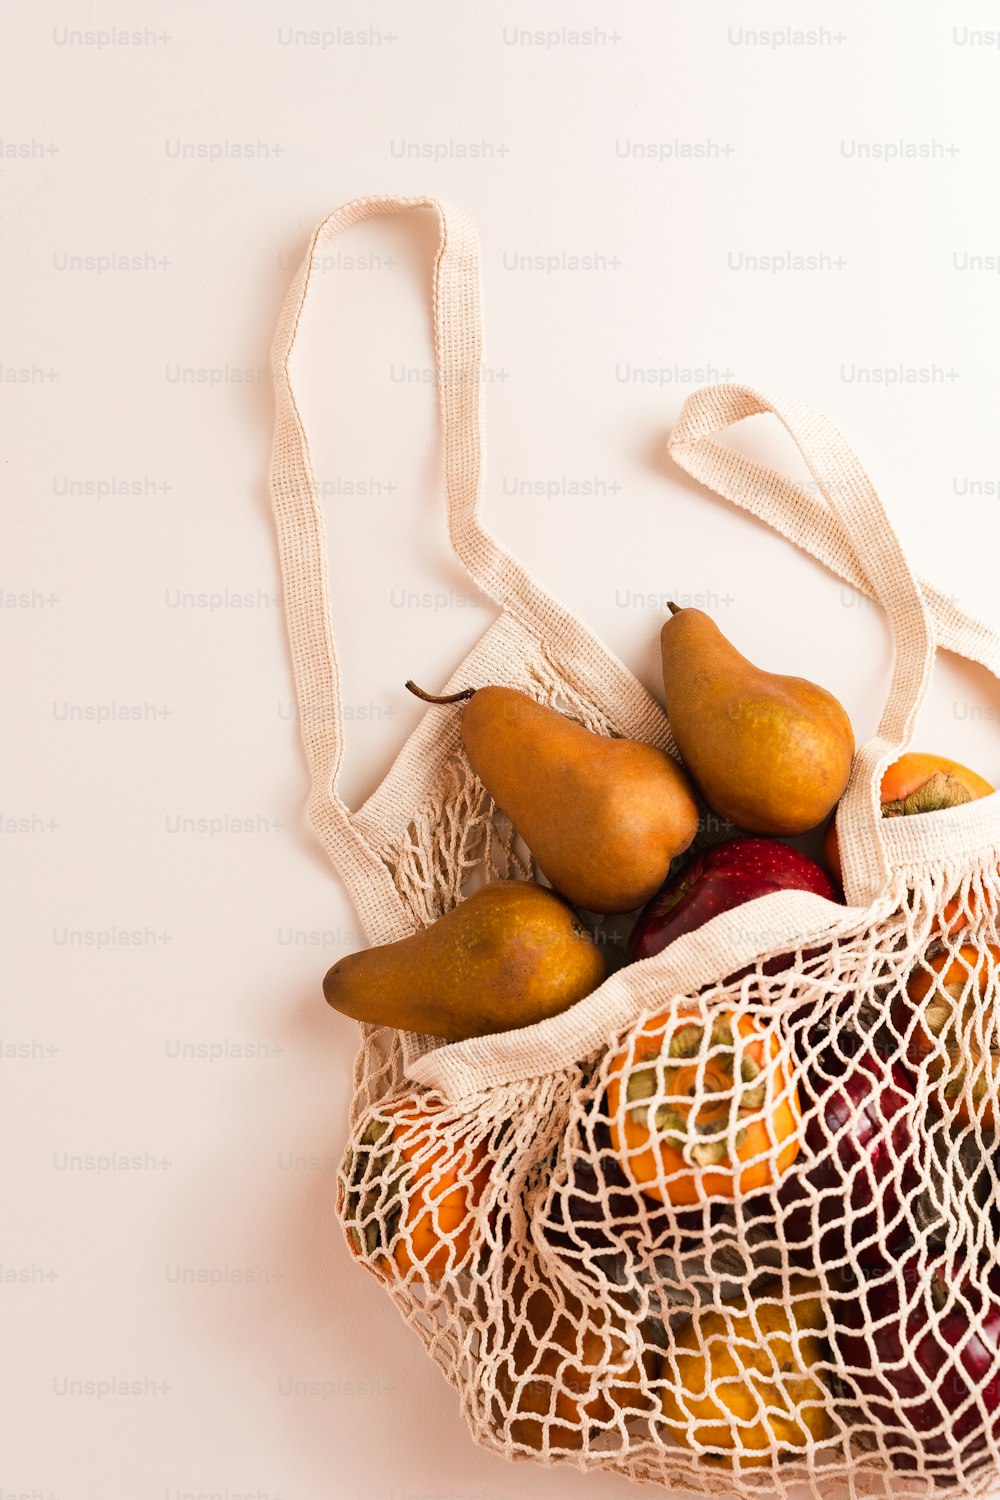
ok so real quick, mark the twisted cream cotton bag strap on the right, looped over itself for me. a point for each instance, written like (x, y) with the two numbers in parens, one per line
(852, 526)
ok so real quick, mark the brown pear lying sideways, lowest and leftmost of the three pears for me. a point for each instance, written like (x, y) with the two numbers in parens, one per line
(510, 955)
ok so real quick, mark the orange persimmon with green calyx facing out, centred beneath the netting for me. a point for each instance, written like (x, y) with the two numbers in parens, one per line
(687, 1091)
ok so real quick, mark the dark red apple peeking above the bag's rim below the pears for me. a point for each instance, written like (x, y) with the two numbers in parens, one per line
(720, 878)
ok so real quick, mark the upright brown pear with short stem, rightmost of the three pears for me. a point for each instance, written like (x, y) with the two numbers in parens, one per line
(773, 754)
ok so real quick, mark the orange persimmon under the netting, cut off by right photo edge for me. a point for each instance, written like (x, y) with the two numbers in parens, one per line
(951, 1036)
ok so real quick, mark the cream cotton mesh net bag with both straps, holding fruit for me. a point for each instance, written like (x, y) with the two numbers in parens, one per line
(729, 1223)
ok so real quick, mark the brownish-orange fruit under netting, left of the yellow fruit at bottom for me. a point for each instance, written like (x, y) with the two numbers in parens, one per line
(567, 1372)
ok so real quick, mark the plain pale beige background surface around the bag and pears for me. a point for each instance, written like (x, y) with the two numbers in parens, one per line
(188, 1321)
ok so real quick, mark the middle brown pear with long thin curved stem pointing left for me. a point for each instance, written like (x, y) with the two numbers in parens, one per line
(602, 817)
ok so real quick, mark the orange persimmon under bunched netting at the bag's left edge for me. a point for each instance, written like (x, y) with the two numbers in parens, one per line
(412, 1195)
